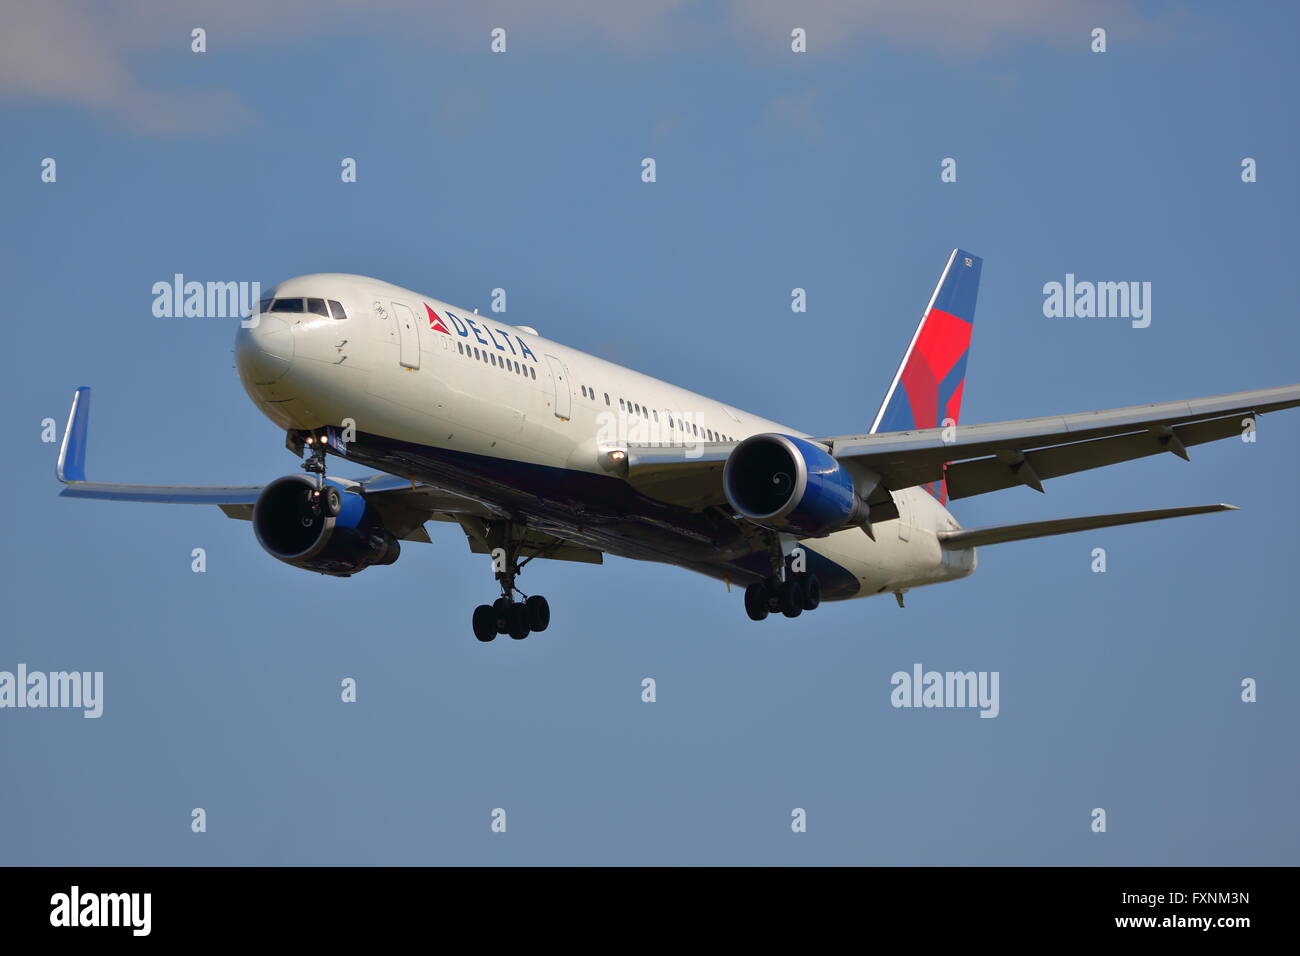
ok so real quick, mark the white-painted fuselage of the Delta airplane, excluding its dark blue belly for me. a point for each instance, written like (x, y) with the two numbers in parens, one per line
(496, 391)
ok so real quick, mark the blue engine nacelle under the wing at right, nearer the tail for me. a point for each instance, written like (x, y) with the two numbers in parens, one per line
(791, 485)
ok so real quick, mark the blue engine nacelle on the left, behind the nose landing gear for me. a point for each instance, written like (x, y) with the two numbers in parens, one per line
(292, 530)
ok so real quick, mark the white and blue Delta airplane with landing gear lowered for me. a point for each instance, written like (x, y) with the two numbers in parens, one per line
(540, 451)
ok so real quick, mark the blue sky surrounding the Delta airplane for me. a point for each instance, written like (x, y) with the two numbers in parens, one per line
(775, 171)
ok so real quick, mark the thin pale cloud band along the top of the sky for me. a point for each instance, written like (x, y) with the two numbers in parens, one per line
(93, 55)
